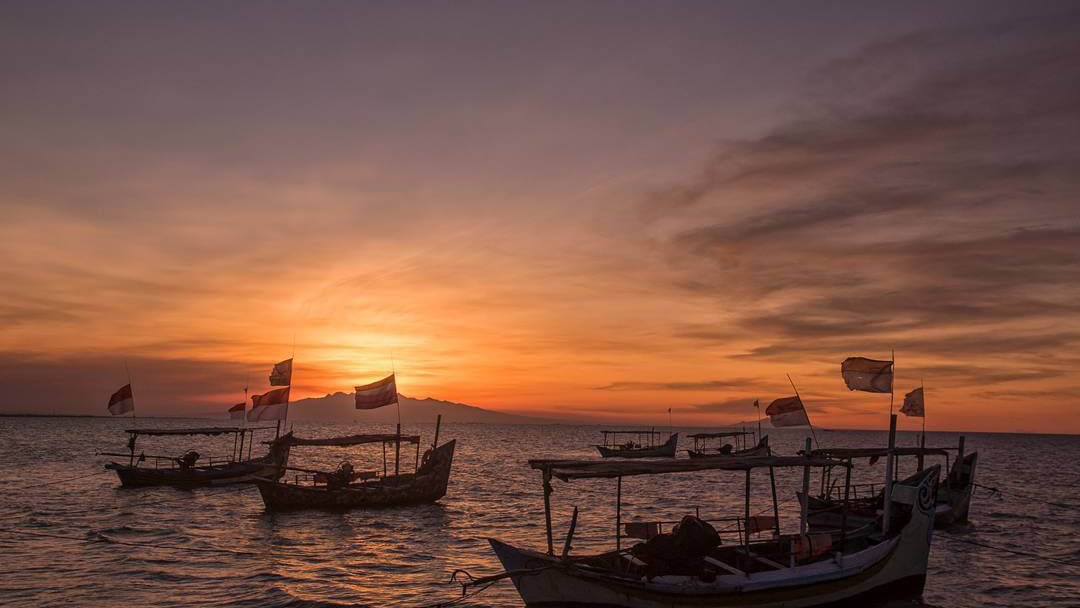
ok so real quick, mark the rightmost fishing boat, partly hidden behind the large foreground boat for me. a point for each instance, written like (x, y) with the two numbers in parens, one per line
(954, 495)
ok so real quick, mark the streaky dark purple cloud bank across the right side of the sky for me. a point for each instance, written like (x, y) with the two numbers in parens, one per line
(925, 202)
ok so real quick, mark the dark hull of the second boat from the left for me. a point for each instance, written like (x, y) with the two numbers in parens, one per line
(427, 485)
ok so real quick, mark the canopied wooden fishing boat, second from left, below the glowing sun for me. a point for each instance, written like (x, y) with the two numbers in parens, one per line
(349, 489)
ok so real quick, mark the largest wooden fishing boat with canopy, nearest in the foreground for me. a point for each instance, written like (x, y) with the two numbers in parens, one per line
(696, 570)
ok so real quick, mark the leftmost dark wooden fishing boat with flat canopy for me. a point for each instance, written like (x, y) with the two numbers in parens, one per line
(185, 471)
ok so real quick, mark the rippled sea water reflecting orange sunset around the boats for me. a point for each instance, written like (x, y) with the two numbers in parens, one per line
(161, 547)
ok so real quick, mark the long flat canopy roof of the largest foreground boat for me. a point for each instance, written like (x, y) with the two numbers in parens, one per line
(605, 469)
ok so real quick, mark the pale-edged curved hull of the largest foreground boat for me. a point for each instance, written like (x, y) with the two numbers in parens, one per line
(895, 569)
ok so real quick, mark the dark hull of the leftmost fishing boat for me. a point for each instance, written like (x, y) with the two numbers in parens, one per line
(267, 467)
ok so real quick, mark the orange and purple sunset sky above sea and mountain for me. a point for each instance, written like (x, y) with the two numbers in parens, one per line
(592, 211)
